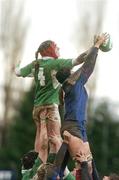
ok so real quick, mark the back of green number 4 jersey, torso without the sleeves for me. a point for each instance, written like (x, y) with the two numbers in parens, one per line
(47, 86)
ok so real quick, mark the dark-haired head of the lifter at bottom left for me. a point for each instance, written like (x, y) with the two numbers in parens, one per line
(28, 159)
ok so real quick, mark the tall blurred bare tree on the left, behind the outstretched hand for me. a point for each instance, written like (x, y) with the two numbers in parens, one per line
(12, 36)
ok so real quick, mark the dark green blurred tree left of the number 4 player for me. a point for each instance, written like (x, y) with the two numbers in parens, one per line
(21, 135)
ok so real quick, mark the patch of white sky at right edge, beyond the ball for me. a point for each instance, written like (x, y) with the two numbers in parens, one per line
(109, 64)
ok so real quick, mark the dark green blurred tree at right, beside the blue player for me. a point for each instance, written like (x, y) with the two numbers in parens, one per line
(103, 134)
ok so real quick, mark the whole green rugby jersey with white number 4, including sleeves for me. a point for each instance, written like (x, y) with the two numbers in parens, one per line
(47, 86)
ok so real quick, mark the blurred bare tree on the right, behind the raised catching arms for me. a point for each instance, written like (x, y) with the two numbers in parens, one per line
(90, 22)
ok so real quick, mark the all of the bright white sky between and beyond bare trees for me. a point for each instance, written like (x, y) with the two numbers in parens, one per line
(61, 20)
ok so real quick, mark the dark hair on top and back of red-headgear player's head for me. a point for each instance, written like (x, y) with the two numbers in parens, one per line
(43, 46)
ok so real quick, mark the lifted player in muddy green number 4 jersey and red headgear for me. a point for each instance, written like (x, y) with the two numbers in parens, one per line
(46, 101)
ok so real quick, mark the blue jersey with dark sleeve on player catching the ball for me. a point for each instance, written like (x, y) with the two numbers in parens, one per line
(76, 95)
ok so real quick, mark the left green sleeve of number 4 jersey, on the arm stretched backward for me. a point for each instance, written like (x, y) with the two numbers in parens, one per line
(27, 70)
